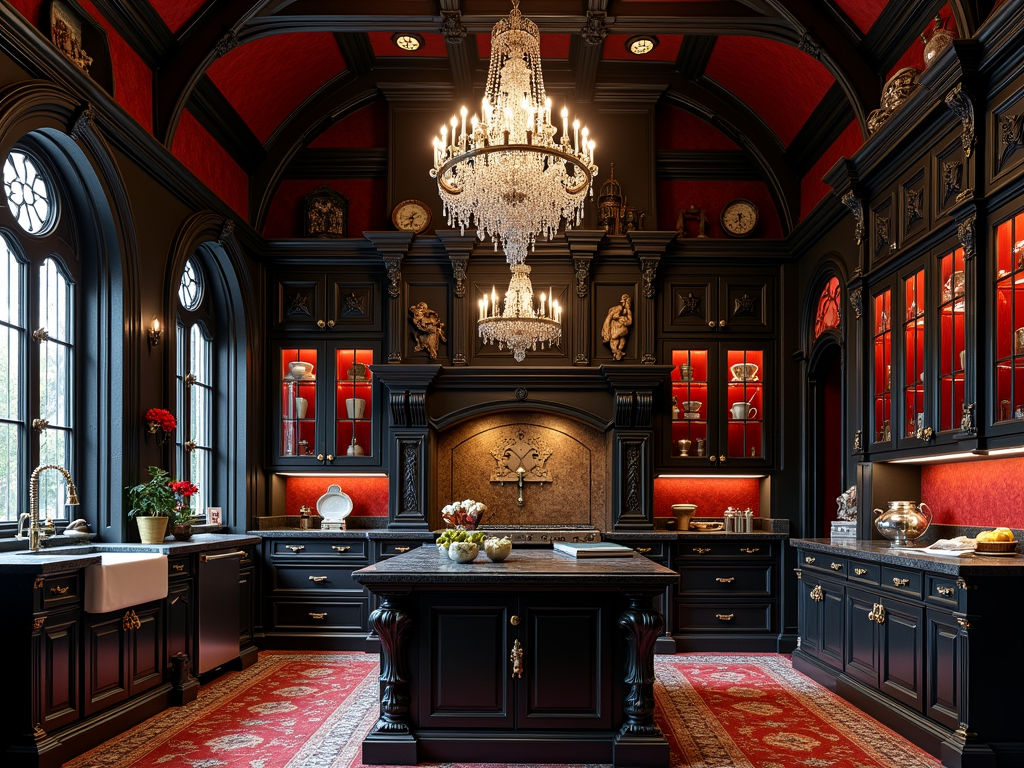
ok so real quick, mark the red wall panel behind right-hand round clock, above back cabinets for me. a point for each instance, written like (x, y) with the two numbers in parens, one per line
(713, 196)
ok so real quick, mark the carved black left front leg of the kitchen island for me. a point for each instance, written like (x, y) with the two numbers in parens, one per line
(391, 742)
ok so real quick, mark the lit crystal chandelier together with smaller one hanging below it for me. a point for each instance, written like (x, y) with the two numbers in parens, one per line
(510, 179)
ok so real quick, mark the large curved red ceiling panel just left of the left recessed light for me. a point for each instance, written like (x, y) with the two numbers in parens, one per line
(268, 79)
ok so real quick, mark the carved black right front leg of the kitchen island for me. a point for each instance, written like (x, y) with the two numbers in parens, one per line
(641, 742)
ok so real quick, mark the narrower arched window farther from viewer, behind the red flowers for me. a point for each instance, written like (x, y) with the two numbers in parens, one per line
(195, 376)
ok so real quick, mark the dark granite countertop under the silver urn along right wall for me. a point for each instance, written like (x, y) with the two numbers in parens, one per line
(877, 551)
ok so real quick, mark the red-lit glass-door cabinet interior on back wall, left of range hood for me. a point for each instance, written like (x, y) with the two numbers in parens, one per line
(326, 406)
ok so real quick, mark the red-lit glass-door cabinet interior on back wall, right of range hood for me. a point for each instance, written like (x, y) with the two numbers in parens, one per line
(719, 407)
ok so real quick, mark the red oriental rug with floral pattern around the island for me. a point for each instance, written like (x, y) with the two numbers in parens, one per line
(313, 710)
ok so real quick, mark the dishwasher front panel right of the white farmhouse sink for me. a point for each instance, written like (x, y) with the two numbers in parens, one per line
(219, 610)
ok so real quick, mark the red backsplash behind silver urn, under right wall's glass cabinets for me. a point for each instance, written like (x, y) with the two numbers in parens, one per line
(983, 493)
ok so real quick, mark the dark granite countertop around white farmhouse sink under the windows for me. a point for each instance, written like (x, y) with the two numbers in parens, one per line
(77, 557)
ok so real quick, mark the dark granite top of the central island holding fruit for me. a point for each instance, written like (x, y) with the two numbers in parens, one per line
(426, 568)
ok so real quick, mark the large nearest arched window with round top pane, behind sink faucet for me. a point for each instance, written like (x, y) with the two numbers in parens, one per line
(39, 377)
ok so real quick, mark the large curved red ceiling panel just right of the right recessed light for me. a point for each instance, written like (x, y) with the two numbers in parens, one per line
(780, 82)
